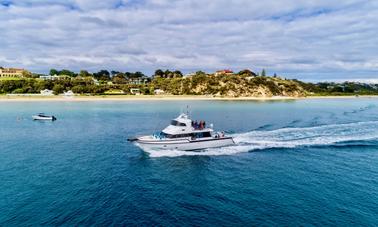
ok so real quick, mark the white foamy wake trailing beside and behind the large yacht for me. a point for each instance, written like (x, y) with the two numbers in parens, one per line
(326, 135)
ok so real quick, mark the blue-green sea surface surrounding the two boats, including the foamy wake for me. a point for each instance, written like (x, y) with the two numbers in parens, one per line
(296, 163)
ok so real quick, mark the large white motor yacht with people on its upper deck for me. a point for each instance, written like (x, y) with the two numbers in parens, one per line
(184, 134)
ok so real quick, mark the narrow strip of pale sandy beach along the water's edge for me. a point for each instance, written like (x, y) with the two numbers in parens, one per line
(6, 98)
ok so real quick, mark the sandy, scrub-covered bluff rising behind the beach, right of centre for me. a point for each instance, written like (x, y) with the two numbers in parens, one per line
(237, 85)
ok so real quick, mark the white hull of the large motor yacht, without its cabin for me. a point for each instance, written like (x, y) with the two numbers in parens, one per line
(185, 144)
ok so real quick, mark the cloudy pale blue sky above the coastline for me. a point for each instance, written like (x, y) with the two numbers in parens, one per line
(312, 40)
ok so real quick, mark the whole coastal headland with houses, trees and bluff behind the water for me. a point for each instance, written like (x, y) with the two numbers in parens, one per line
(222, 84)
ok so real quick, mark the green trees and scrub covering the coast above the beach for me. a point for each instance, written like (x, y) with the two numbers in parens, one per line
(242, 84)
